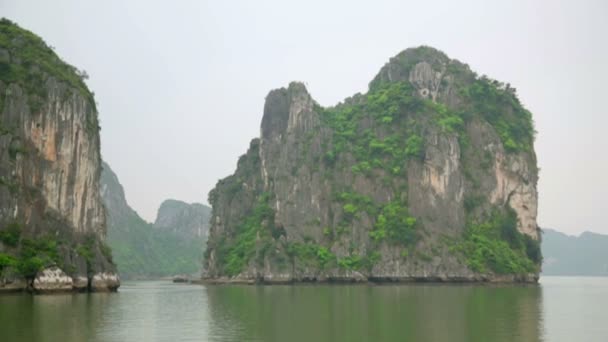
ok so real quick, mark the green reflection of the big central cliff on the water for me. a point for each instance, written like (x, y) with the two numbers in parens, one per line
(380, 313)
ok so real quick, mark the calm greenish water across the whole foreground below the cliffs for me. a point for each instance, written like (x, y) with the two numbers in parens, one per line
(561, 309)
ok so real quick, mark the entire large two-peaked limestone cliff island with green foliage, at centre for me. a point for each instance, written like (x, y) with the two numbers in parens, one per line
(431, 175)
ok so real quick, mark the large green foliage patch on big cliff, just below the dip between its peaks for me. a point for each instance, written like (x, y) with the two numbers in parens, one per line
(356, 125)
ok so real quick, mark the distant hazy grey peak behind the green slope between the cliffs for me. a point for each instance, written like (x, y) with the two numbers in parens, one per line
(188, 220)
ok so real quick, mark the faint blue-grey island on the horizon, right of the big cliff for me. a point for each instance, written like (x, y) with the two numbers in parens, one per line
(583, 255)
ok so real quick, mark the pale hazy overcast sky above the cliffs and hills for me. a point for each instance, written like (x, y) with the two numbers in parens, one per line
(181, 84)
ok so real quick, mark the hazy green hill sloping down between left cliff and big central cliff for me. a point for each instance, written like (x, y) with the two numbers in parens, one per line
(141, 249)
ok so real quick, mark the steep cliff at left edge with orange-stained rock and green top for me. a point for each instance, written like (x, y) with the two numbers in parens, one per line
(52, 220)
